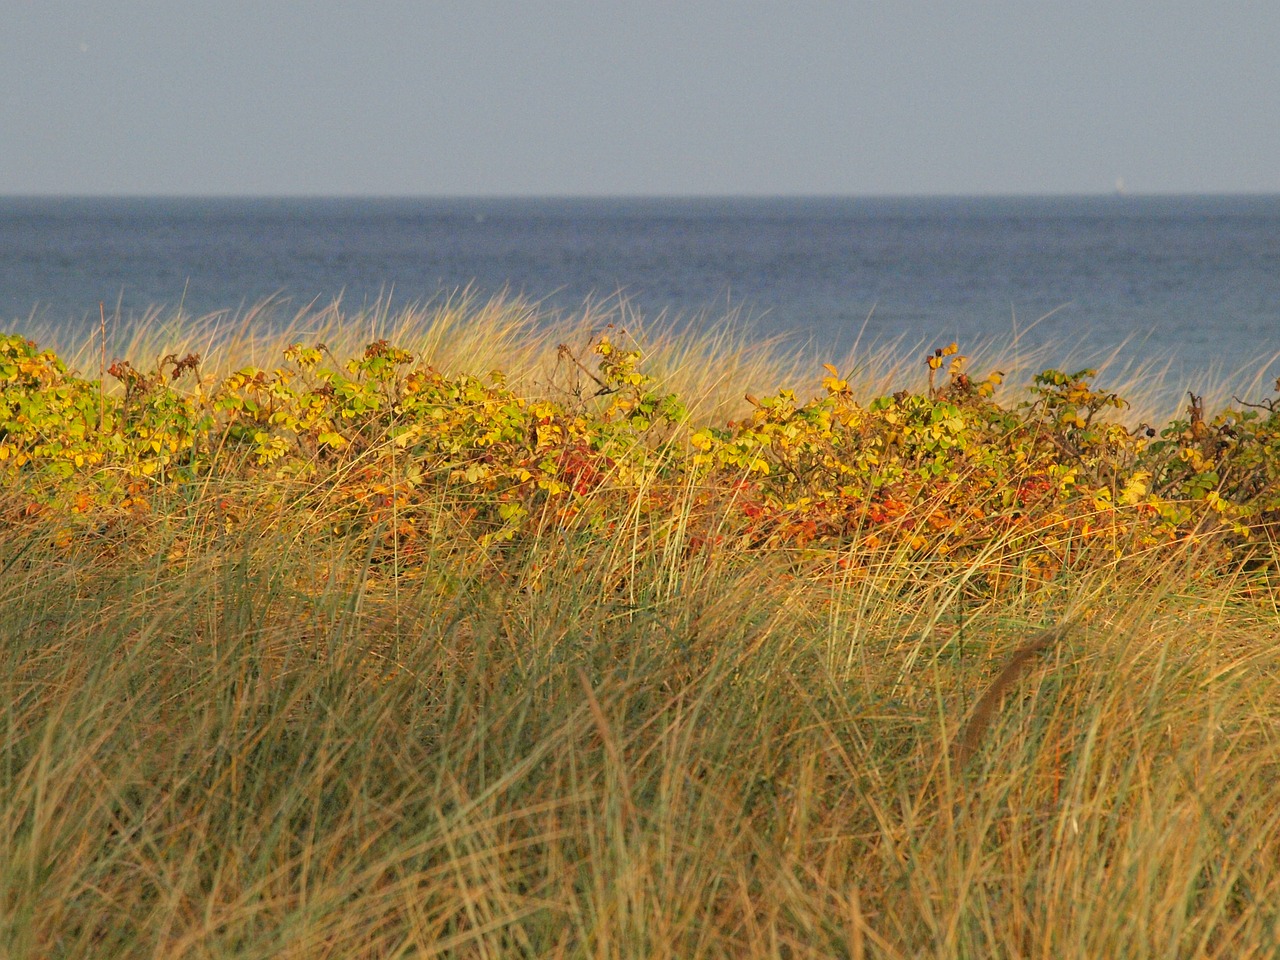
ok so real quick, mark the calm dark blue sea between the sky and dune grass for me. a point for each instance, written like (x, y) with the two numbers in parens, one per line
(1191, 284)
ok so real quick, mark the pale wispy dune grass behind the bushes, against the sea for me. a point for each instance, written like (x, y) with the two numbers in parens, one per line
(714, 362)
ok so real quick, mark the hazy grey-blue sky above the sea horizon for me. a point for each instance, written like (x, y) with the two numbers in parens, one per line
(646, 97)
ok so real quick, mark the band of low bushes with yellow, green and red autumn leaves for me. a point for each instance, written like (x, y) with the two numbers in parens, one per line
(378, 445)
